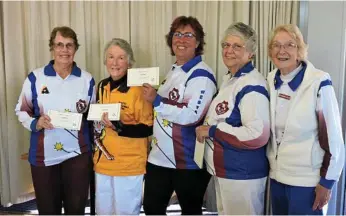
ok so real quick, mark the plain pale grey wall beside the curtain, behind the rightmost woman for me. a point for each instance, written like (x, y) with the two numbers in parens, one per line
(325, 34)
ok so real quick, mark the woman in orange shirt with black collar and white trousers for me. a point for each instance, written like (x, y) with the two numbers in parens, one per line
(121, 153)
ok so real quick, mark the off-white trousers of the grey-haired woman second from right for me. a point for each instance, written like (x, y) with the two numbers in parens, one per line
(240, 197)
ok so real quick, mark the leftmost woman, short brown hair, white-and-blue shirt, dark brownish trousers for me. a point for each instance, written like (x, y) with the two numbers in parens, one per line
(60, 159)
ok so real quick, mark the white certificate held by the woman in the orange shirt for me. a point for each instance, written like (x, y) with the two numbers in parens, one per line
(96, 111)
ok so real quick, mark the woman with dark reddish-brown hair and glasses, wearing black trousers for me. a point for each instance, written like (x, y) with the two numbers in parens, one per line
(180, 105)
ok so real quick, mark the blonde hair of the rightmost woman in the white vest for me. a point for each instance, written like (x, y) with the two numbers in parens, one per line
(296, 34)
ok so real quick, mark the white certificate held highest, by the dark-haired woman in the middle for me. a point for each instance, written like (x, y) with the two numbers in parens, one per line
(138, 76)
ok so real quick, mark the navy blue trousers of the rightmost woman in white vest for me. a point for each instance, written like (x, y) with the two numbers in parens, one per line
(292, 200)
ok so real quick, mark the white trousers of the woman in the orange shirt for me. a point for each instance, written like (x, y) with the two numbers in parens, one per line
(120, 195)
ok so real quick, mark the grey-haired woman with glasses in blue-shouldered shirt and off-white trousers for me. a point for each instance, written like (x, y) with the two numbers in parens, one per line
(236, 128)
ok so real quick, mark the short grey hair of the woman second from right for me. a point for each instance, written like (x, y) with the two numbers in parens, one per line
(245, 32)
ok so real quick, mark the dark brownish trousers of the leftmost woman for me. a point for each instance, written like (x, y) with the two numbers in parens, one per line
(65, 184)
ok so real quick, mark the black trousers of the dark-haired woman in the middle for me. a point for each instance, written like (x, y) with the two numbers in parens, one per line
(189, 185)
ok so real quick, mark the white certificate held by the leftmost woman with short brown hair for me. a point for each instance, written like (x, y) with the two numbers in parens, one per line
(67, 120)
